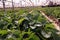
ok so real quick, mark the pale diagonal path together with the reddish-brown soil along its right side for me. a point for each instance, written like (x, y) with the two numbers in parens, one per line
(53, 20)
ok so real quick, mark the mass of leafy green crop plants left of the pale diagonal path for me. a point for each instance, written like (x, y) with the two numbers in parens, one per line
(26, 26)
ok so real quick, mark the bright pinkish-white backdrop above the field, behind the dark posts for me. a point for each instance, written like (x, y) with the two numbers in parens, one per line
(23, 3)
